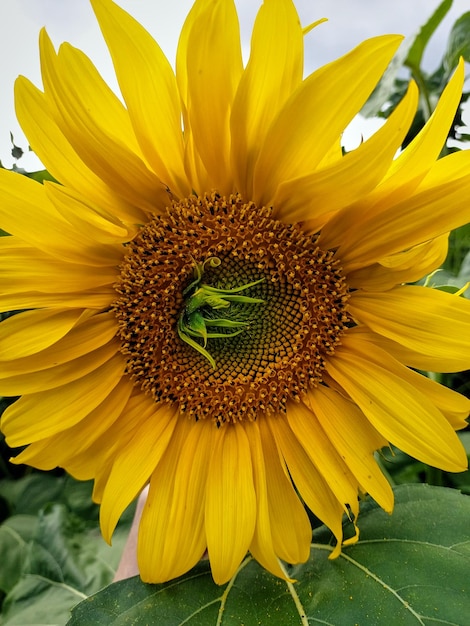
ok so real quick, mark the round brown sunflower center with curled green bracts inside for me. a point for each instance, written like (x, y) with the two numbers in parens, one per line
(226, 310)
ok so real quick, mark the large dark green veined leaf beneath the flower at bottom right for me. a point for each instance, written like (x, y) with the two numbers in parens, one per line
(410, 568)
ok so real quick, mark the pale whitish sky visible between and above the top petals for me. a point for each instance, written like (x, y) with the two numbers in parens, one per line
(349, 22)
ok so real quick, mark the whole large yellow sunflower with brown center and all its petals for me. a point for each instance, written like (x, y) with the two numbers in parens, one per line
(213, 296)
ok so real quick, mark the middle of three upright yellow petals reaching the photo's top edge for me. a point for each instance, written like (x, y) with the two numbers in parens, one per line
(210, 45)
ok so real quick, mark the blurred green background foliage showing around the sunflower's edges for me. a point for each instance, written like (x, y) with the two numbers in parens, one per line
(52, 553)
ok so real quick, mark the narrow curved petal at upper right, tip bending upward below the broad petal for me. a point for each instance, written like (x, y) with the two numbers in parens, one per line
(350, 178)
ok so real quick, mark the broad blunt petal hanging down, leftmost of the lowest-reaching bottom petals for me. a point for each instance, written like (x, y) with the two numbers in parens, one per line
(171, 536)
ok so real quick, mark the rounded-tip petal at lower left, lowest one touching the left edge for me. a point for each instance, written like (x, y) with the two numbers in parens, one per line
(39, 415)
